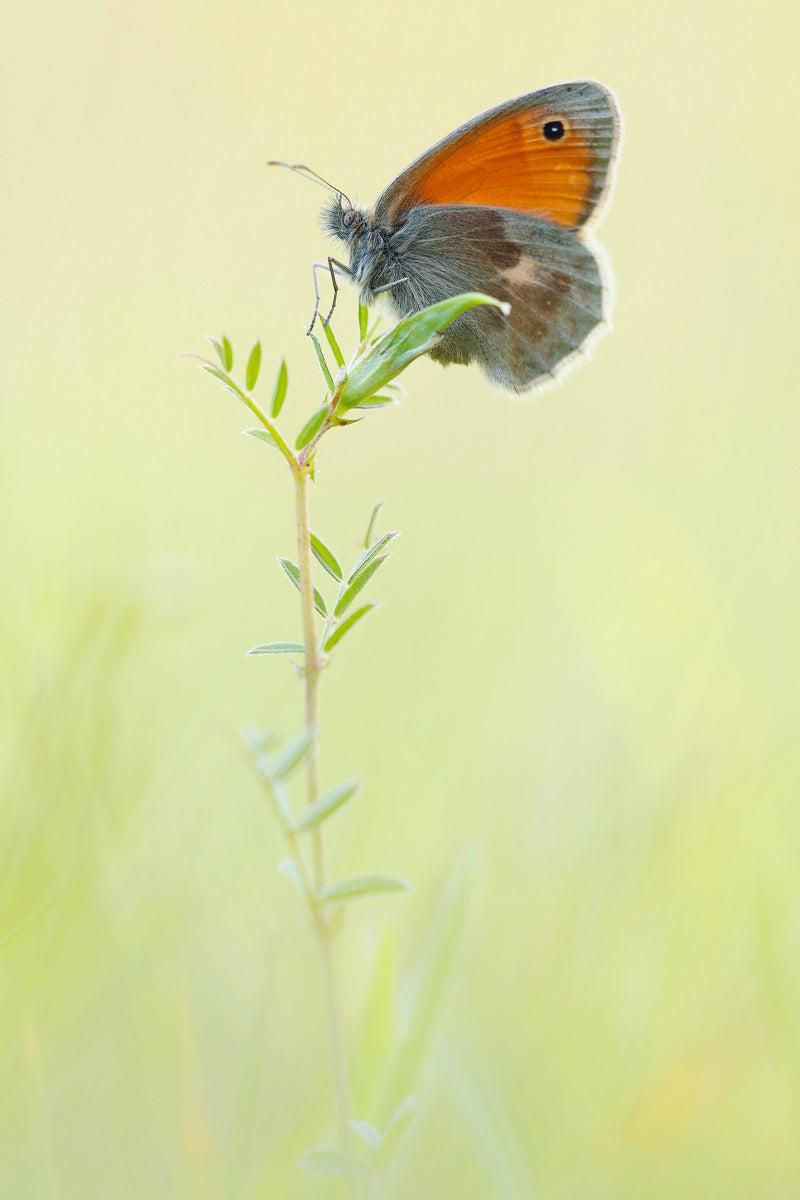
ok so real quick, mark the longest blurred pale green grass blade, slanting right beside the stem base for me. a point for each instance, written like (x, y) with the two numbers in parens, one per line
(435, 976)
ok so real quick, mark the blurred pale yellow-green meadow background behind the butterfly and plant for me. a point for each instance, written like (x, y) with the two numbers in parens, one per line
(586, 668)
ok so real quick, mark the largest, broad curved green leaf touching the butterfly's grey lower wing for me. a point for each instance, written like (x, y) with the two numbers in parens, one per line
(407, 341)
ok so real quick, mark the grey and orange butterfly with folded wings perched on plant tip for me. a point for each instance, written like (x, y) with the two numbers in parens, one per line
(503, 206)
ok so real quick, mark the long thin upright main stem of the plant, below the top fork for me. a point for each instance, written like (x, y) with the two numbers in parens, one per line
(322, 916)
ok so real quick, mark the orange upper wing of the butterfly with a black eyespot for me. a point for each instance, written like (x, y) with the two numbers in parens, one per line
(548, 154)
